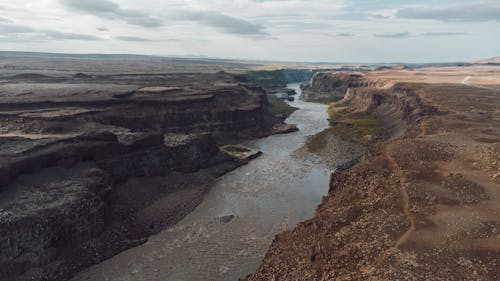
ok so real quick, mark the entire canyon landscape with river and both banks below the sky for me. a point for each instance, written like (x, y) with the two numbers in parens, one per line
(194, 173)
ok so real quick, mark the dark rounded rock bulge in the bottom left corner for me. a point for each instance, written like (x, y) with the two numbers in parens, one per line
(47, 213)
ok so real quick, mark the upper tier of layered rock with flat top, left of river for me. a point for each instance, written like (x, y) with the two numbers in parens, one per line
(206, 103)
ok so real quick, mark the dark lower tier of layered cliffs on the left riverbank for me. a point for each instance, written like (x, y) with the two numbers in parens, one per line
(59, 196)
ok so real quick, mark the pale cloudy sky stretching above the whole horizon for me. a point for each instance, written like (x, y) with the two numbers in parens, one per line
(291, 30)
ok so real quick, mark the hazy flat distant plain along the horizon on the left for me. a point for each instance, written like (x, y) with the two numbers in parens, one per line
(55, 64)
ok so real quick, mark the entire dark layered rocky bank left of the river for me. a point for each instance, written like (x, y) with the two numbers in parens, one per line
(92, 164)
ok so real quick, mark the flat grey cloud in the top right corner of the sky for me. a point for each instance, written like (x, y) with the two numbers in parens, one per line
(477, 12)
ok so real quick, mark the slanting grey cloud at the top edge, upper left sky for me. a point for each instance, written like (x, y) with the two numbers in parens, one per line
(107, 9)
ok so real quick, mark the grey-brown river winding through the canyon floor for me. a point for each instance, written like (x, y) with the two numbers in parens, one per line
(269, 195)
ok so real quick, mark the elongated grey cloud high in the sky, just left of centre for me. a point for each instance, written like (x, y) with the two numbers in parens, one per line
(224, 23)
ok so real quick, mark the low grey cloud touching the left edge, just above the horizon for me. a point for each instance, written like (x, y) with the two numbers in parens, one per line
(21, 31)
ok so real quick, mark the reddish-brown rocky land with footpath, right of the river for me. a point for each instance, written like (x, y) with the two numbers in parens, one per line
(423, 203)
